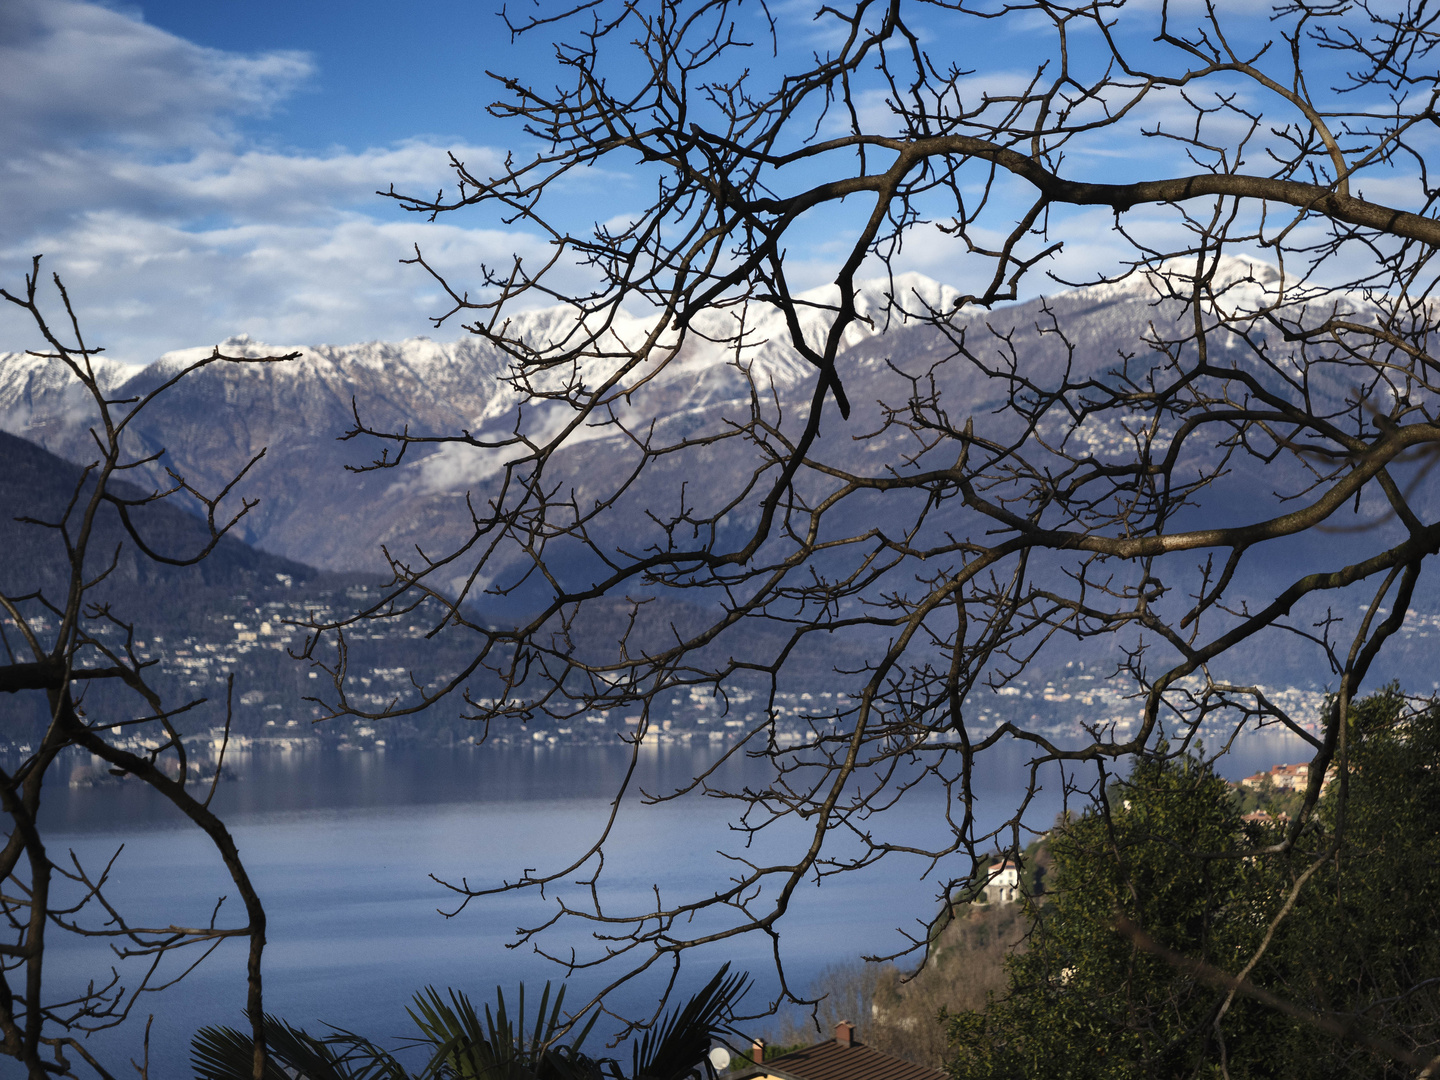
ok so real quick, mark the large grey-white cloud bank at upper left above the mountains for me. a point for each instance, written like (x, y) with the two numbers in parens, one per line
(126, 168)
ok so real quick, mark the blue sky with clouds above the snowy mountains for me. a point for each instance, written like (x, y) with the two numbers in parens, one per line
(202, 169)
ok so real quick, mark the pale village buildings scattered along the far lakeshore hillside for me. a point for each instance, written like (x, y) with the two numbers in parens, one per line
(260, 634)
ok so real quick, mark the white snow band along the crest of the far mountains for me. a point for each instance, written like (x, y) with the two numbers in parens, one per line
(722, 354)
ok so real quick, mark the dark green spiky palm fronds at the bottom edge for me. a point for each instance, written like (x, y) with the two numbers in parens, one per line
(462, 1045)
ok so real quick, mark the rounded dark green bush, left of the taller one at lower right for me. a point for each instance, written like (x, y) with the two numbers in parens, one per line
(1084, 997)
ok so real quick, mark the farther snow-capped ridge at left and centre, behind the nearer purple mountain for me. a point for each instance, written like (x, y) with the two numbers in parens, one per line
(218, 418)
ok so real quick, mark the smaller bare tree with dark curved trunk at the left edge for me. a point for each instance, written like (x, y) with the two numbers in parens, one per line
(67, 643)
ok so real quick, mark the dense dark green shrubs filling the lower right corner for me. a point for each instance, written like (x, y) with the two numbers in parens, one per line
(1360, 950)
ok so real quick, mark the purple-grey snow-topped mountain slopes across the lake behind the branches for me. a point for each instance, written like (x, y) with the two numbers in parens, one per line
(315, 510)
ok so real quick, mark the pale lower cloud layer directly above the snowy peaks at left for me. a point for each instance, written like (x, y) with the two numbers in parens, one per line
(146, 287)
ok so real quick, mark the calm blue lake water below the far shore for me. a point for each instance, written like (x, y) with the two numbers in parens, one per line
(342, 846)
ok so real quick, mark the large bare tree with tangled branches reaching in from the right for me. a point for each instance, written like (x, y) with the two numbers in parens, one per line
(1249, 473)
